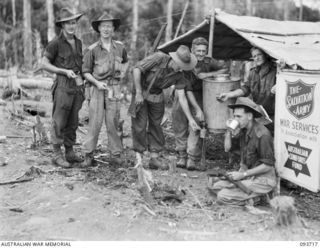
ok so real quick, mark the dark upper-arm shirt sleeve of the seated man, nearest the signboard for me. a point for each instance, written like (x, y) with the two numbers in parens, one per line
(266, 152)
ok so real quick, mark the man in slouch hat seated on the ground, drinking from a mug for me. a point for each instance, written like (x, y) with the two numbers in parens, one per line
(257, 172)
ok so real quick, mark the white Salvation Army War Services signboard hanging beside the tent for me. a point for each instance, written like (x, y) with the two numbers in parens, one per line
(297, 128)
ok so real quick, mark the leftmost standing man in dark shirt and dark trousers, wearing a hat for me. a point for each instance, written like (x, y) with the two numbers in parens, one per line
(63, 56)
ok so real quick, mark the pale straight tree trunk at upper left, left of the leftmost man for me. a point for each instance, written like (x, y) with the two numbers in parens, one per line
(27, 34)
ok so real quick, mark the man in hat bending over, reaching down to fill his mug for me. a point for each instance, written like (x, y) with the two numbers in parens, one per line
(151, 75)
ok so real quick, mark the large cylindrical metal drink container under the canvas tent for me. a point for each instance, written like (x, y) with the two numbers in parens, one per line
(217, 112)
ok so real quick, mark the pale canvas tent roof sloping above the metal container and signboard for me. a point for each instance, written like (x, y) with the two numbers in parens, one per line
(294, 42)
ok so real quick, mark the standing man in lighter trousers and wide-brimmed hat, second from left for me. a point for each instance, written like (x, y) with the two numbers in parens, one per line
(102, 68)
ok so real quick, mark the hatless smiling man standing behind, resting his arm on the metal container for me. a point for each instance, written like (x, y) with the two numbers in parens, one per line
(188, 142)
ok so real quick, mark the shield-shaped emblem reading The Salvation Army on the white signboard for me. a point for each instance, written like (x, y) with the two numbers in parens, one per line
(300, 98)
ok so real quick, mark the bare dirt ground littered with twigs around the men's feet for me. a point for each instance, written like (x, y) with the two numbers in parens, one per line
(103, 203)
